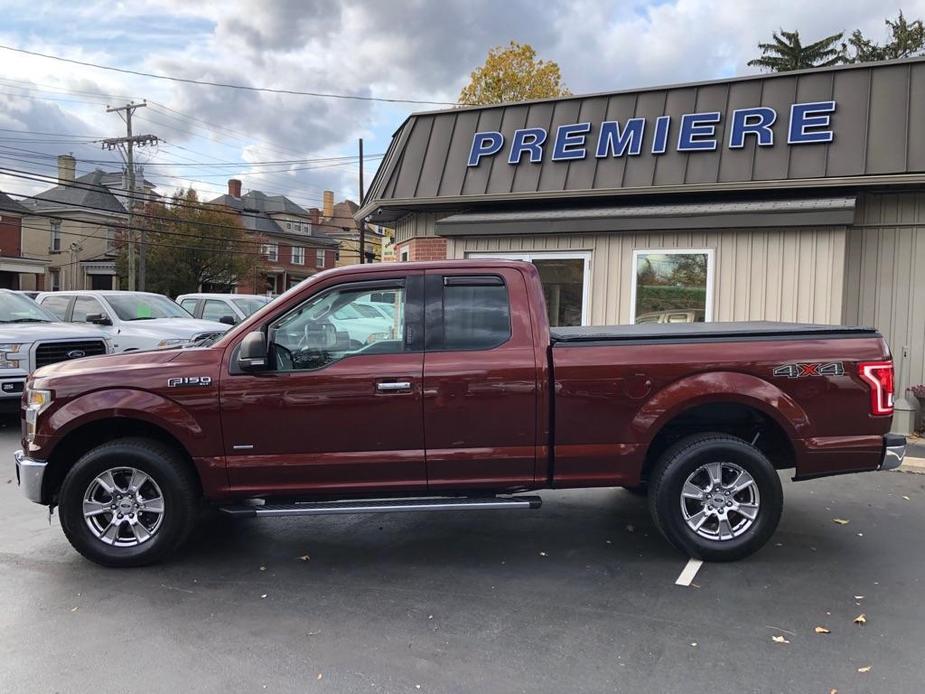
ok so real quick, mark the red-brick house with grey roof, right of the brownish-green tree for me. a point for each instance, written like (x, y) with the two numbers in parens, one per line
(290, 242)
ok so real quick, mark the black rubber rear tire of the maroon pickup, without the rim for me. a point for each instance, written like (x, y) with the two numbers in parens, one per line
(682, 460)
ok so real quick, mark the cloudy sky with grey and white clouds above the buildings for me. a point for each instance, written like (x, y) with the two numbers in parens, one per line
(417, 50)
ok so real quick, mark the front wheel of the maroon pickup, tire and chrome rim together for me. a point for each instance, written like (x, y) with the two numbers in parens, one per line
(128, 503)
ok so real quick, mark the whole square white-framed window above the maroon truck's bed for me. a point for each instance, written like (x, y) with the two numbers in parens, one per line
(672, 286)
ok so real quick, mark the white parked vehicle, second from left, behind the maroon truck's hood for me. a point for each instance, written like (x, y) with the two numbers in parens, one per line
(132, 320)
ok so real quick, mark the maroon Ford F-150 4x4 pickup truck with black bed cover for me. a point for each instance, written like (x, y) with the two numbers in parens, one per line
(441, 387)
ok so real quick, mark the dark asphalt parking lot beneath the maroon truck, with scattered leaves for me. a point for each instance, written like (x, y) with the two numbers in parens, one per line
(579, 596)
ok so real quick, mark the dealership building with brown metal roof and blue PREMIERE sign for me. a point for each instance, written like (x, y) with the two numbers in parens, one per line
(790, 197)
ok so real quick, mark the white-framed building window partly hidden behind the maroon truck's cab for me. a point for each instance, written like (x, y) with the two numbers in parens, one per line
(566, 279)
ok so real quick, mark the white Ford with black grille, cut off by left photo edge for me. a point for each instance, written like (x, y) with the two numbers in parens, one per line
(31, 337)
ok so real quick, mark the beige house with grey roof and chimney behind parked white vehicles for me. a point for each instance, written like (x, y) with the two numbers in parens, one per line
(76, 225)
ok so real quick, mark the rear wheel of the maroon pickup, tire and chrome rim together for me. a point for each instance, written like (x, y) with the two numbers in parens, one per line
(715, 497)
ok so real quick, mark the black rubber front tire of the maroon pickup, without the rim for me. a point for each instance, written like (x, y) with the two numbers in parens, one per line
(176, 481)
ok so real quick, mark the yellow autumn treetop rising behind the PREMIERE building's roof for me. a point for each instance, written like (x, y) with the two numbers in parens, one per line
(513, 73)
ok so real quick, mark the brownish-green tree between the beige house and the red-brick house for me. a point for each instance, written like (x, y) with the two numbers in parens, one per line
(191, 244)
